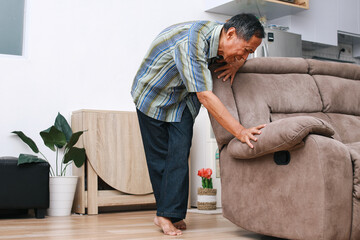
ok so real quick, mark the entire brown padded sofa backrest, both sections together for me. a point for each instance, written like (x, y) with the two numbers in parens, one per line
(267, 89)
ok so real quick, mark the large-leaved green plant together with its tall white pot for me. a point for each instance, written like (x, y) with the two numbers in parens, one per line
(60, 139)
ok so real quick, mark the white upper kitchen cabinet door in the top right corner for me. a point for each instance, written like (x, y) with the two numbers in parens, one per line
(348, 20)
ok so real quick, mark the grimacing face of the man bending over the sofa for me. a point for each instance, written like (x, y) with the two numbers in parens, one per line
(237, 48)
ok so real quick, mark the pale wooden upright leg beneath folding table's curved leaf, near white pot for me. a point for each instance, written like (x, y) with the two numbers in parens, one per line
(92, 190)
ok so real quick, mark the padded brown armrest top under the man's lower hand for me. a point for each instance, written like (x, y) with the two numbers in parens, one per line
(283, 134)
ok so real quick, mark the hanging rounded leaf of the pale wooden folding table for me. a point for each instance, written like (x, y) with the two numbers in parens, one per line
(114, 148)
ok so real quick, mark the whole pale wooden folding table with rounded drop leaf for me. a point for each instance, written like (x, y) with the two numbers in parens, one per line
(115, 154)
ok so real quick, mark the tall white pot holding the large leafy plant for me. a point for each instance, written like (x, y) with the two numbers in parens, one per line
(62, 192)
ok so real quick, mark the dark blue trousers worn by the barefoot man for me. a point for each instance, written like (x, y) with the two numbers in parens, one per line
(167, 147)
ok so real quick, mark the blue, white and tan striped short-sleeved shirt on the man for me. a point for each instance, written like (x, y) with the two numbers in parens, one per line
(174, 69)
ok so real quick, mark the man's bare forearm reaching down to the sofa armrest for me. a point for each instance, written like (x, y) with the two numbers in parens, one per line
(217, 109)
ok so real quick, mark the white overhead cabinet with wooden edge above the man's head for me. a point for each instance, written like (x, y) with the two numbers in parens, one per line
(270, 8)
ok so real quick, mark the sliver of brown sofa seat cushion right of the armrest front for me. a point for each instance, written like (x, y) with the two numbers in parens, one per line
(354, 149)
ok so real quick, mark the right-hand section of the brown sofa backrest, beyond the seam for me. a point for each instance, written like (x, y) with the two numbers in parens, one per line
(339, 88)
